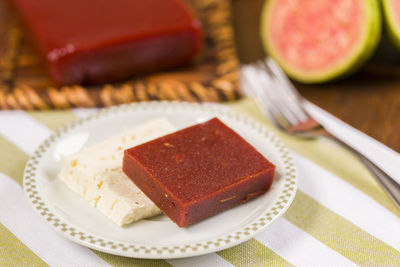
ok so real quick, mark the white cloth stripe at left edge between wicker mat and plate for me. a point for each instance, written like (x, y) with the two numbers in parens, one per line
(22, 130)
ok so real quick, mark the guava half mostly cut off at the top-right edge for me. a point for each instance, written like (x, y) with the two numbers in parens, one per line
(391, 10)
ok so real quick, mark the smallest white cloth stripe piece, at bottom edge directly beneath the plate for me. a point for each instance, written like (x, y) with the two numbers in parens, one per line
(201, 261)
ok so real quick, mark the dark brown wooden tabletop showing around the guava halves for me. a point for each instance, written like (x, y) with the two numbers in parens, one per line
(369, 100)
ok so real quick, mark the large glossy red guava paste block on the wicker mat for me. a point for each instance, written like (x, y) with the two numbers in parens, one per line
(95, 41)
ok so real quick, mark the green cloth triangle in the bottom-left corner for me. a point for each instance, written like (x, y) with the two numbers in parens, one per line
(14, 253)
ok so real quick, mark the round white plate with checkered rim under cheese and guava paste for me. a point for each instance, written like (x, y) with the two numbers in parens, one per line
(157, 237)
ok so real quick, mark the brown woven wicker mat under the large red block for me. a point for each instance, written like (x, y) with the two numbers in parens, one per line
(214, 76)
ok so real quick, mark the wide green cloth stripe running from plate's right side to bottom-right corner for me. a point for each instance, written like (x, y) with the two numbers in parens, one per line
(339, 234)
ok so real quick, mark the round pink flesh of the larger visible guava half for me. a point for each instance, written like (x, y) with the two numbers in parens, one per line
(315, 35)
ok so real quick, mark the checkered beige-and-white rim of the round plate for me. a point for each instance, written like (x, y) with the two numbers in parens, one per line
(224, 241)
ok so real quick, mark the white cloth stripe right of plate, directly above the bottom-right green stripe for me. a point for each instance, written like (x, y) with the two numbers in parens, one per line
(348, 202)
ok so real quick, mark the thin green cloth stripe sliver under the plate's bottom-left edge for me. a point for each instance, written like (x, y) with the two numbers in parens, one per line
(120, 261)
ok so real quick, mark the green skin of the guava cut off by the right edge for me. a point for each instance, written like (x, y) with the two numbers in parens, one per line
(392, 28)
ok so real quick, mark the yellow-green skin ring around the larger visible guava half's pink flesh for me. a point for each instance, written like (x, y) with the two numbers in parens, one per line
(348, 66)
